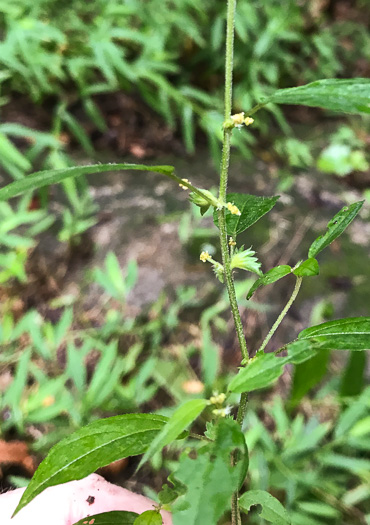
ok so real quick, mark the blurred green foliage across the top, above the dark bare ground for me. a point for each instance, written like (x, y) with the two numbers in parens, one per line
(170, 53)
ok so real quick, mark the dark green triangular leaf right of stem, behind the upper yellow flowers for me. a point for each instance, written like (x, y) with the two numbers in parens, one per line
(251, 208)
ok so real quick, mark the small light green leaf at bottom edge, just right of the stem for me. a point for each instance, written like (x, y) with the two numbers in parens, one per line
(272, 509)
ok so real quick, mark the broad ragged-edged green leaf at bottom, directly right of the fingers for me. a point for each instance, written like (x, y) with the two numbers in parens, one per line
(210, 479)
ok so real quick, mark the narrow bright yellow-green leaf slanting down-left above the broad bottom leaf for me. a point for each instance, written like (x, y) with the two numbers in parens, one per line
(179, 421)
